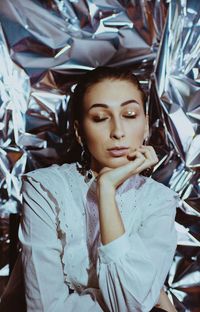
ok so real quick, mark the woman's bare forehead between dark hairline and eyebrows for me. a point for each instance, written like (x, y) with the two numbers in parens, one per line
(112, 91)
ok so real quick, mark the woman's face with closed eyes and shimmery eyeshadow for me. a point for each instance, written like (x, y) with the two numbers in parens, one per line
(114, 122)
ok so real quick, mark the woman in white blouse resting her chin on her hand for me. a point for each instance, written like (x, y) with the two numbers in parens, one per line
(96, 234)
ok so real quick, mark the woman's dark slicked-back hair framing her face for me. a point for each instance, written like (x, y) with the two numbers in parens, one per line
(88, 80)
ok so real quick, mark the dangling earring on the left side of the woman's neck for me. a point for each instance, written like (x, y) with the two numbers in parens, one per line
(83, 165)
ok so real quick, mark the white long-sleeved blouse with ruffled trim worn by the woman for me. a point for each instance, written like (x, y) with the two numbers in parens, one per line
(62, 250)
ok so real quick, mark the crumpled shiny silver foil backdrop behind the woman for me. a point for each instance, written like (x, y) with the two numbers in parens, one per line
(46, 45)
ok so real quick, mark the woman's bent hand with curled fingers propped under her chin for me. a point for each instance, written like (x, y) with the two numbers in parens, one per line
(139, 160)
